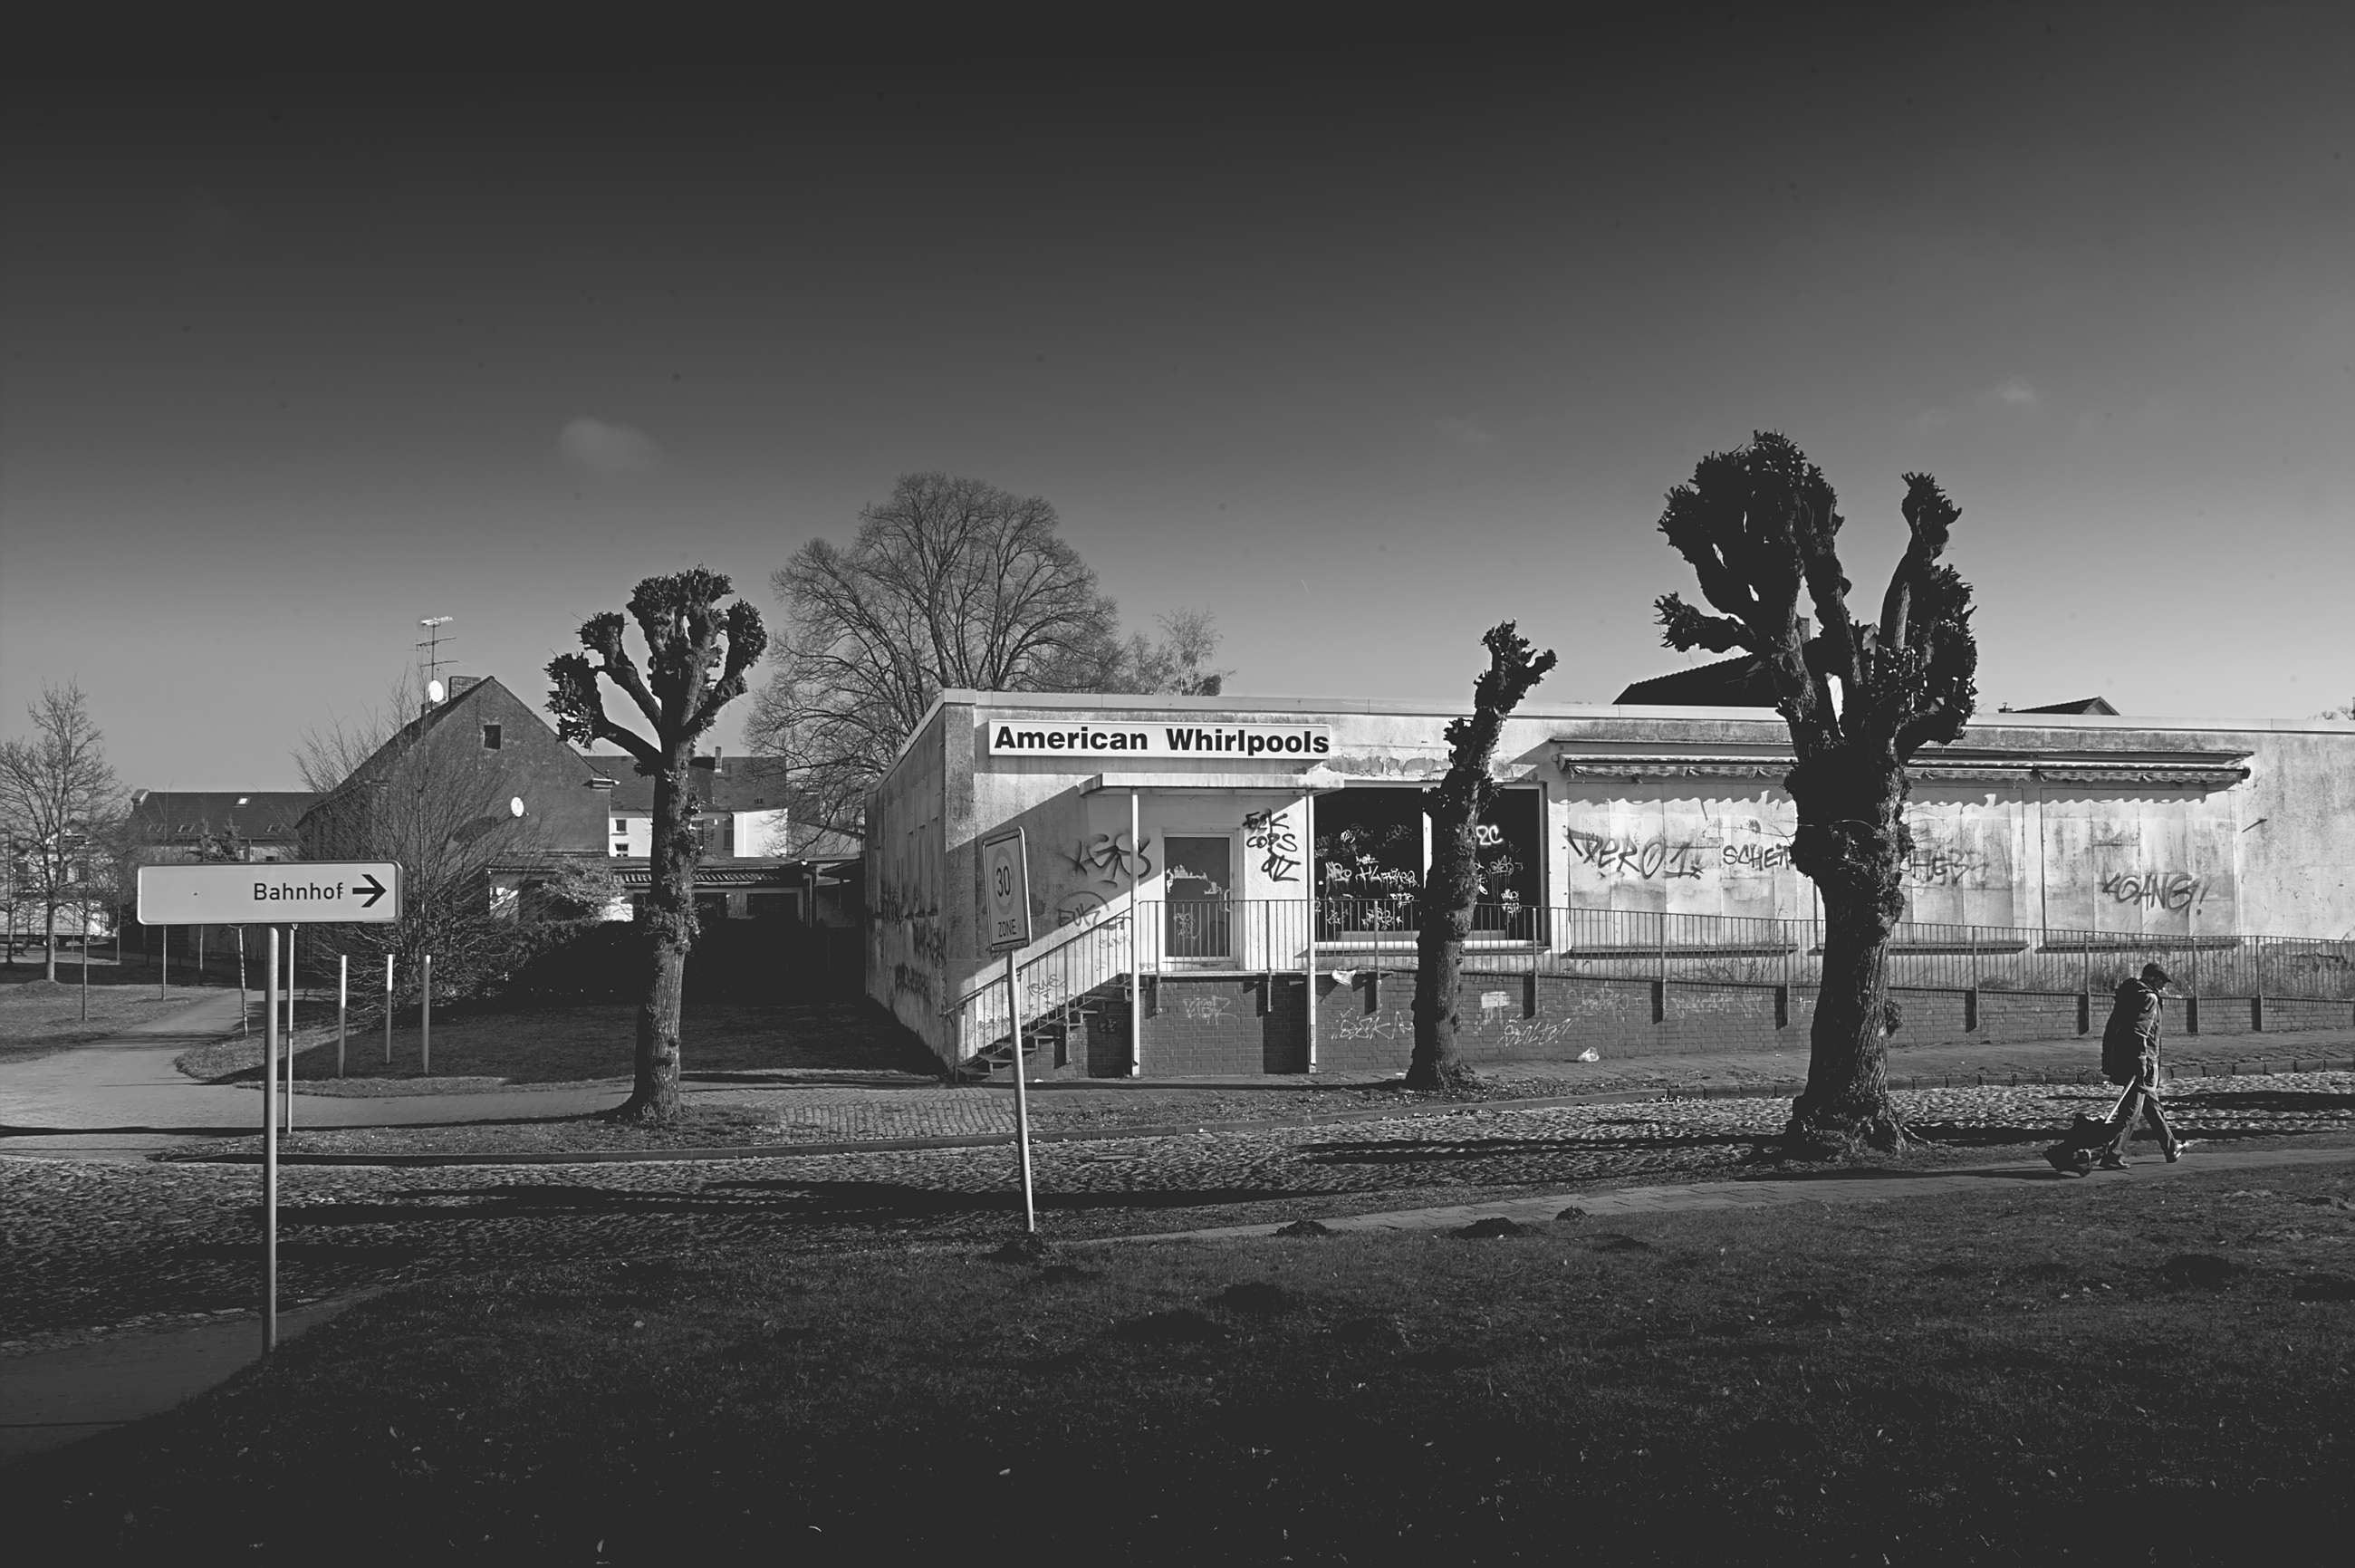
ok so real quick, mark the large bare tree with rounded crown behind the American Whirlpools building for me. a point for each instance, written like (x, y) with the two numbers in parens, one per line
(946, 585)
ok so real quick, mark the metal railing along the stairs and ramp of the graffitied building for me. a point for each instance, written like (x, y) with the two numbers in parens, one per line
(1092, 962)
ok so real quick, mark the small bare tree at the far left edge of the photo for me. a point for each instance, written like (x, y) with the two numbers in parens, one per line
(60, 809)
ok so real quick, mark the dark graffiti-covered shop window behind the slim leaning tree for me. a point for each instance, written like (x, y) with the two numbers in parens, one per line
(1372, 863)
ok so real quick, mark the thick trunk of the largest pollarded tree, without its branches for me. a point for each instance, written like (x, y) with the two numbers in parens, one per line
(1852, 842)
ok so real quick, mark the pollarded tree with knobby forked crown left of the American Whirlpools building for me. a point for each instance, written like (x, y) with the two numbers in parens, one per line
(689, 679)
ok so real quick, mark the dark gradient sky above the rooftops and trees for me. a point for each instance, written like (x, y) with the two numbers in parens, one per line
(1358, 338)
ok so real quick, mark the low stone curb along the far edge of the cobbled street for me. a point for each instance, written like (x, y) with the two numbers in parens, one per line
(1179, 1129)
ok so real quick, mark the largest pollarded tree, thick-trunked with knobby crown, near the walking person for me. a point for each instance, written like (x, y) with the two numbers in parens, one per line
(1760, 526)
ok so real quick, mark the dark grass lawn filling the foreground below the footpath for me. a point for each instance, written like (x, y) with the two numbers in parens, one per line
(2154, 1371)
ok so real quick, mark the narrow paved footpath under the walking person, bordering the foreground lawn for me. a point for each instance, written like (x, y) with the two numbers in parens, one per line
(1697, 1197)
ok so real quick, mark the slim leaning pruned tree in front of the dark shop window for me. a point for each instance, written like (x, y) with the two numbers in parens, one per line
(1454, 879)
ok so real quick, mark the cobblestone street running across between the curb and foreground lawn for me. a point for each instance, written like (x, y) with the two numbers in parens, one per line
(107, 1247)
